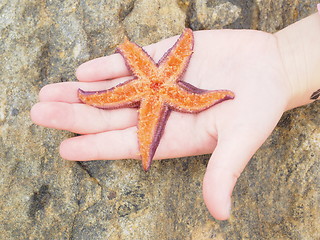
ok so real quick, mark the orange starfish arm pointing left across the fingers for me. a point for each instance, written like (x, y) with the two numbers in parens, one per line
(127, 94)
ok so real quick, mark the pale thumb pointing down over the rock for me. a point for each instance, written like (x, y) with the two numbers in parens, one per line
(228, 160)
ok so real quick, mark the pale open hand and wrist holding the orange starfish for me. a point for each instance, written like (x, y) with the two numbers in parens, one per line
(269, 74)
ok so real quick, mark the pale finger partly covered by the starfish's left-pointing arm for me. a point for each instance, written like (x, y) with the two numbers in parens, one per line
(68, 91)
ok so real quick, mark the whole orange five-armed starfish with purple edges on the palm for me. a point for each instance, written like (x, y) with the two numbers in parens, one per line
(157, 88)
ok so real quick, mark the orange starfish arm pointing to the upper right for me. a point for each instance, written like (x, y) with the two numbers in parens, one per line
(174, 63)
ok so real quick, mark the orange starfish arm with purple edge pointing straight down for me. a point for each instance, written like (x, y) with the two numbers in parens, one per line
(153, 115)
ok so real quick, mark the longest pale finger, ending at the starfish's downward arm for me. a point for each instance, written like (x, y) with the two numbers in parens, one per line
(80, 118)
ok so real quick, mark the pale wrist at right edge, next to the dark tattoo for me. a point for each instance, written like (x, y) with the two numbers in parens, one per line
(300, 53)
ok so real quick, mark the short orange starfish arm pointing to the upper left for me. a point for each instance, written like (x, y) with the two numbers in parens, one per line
(137, 60)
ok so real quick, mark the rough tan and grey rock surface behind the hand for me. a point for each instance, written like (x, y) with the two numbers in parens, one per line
(45, 197)
